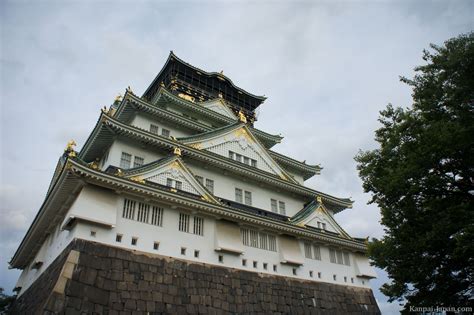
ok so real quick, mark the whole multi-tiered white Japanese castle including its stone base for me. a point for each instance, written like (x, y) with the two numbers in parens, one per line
(177, 203)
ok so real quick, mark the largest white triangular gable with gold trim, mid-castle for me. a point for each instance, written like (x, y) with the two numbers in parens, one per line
(239, 144)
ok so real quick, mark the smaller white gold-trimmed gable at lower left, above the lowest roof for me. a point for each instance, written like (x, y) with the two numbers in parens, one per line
(171, 172)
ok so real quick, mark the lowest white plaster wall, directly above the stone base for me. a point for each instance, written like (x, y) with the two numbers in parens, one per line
(171, 240)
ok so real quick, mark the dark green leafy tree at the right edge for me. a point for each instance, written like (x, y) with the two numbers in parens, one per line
(421, 177)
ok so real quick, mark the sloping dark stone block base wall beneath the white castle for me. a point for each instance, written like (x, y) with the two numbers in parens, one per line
(90, 277)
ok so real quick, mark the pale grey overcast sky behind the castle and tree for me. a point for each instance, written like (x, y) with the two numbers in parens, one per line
(326, 67)
